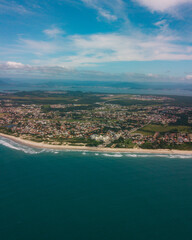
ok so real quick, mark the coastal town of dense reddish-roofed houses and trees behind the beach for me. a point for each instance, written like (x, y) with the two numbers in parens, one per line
(158, 124)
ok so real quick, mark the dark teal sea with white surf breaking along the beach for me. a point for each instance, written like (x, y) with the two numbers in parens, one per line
(60, 195)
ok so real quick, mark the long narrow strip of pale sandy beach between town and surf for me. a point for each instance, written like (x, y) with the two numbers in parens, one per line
(93, 149)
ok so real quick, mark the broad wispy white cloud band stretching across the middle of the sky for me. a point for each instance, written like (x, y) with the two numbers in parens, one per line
(90, 50)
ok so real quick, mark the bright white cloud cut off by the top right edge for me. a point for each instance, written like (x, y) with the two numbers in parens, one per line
(162, 5)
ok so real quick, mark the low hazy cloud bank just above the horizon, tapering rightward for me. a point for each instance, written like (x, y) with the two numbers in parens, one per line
(22, 71)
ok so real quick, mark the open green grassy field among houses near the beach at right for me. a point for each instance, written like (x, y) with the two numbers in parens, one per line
(152, 128)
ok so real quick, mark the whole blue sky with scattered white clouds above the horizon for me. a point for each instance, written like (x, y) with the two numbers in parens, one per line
(96, 40)
